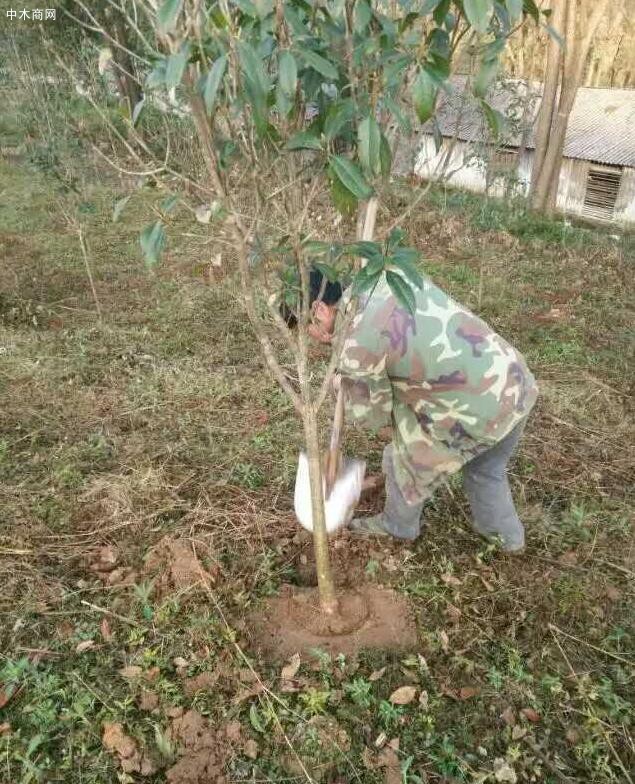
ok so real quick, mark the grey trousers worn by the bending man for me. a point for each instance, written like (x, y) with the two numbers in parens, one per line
(486, 486)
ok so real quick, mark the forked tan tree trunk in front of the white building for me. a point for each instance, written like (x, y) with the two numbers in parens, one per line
(574, 67)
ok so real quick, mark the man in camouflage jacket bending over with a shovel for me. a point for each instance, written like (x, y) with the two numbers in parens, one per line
(456, 394)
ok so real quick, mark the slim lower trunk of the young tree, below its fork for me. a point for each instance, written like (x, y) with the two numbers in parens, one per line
(326, 586)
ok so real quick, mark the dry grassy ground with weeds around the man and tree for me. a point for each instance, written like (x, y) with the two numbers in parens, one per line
(146, 468)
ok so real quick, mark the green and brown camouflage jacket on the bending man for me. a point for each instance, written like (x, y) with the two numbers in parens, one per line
(446, 382)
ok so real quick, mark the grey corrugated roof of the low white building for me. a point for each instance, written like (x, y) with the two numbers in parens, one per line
(601, 125)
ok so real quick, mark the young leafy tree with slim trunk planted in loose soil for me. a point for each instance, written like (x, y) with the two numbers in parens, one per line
(297, 106)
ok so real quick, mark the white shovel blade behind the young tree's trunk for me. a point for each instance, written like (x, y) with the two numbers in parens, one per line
(340, 506)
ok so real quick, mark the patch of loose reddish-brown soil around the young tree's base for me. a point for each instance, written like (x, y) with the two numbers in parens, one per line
(370, 617)
